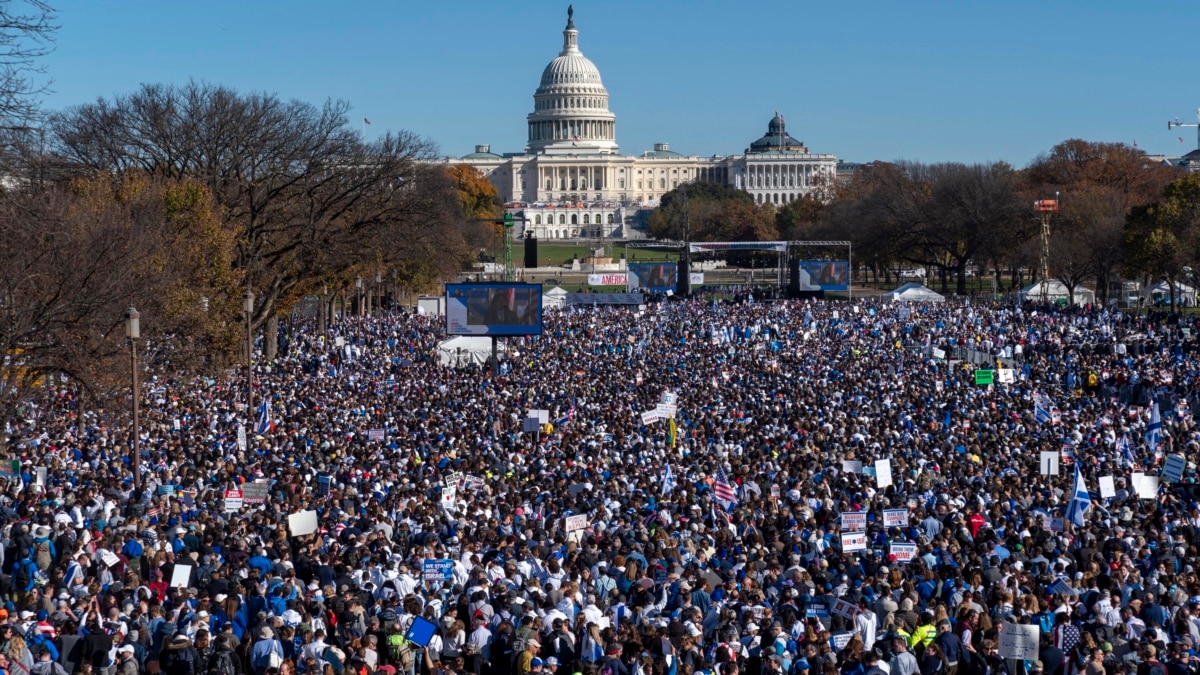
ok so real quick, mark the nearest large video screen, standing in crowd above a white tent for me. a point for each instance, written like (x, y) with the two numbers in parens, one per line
(494, 309)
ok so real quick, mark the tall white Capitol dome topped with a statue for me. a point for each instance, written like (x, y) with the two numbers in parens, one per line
(572, 105)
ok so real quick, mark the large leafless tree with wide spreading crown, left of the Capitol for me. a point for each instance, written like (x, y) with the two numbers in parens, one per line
(310, 200)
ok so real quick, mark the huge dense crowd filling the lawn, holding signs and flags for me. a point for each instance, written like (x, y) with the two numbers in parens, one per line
(791, 487)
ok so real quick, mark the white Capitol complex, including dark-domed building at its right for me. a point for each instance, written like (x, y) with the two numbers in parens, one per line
(572, 181)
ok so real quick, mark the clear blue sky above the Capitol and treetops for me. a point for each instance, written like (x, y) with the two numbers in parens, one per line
(949, 81)
